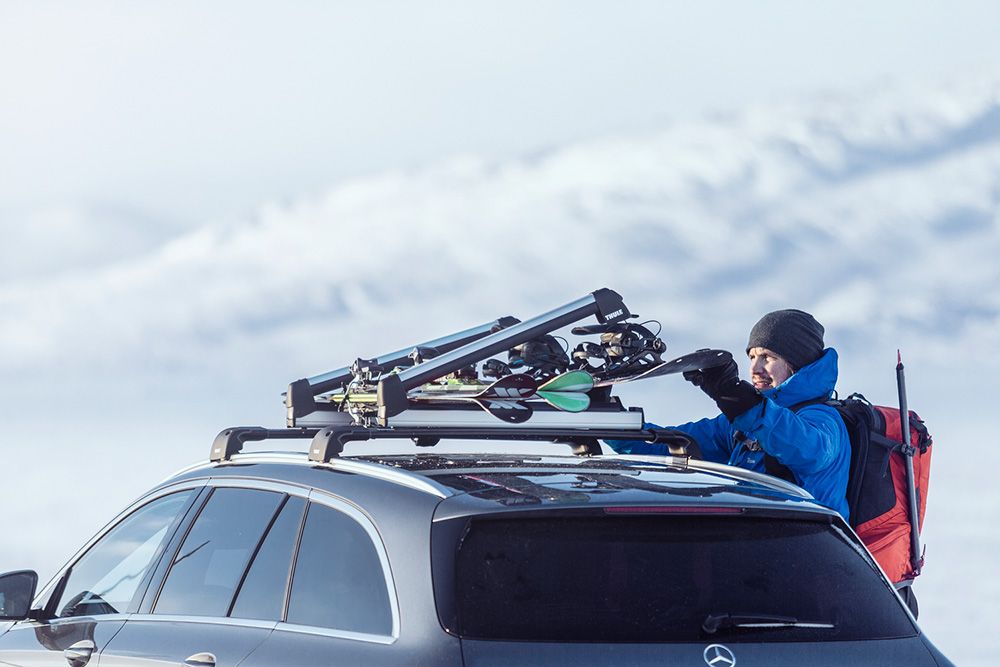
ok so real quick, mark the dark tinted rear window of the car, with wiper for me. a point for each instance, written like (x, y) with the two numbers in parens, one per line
(622, 578)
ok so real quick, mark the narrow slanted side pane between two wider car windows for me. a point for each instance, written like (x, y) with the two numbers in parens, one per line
(262, 593)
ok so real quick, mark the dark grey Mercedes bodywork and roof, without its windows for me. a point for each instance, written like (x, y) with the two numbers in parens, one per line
(404, 497)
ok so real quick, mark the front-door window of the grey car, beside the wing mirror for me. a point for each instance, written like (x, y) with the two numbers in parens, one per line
(106, 578)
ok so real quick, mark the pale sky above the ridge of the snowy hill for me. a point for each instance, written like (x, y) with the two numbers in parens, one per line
(186, 112)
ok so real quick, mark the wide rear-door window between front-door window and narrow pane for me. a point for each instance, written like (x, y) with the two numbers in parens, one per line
(210, 563)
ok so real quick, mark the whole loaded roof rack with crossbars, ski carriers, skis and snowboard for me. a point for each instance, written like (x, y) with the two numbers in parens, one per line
(456, 387)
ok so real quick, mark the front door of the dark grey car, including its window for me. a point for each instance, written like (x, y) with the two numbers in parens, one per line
(88, 603)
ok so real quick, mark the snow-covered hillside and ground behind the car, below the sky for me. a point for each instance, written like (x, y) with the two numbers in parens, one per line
(877, 211)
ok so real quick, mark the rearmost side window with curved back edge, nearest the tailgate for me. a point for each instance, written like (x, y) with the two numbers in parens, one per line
(339, 582)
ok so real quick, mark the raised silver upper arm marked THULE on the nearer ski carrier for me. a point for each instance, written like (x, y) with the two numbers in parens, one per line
(607, 305)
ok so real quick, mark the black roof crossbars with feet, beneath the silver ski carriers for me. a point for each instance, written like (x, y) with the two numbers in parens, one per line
(328, 443)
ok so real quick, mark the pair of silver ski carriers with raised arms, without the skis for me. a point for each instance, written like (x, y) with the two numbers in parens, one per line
(451, 354)
